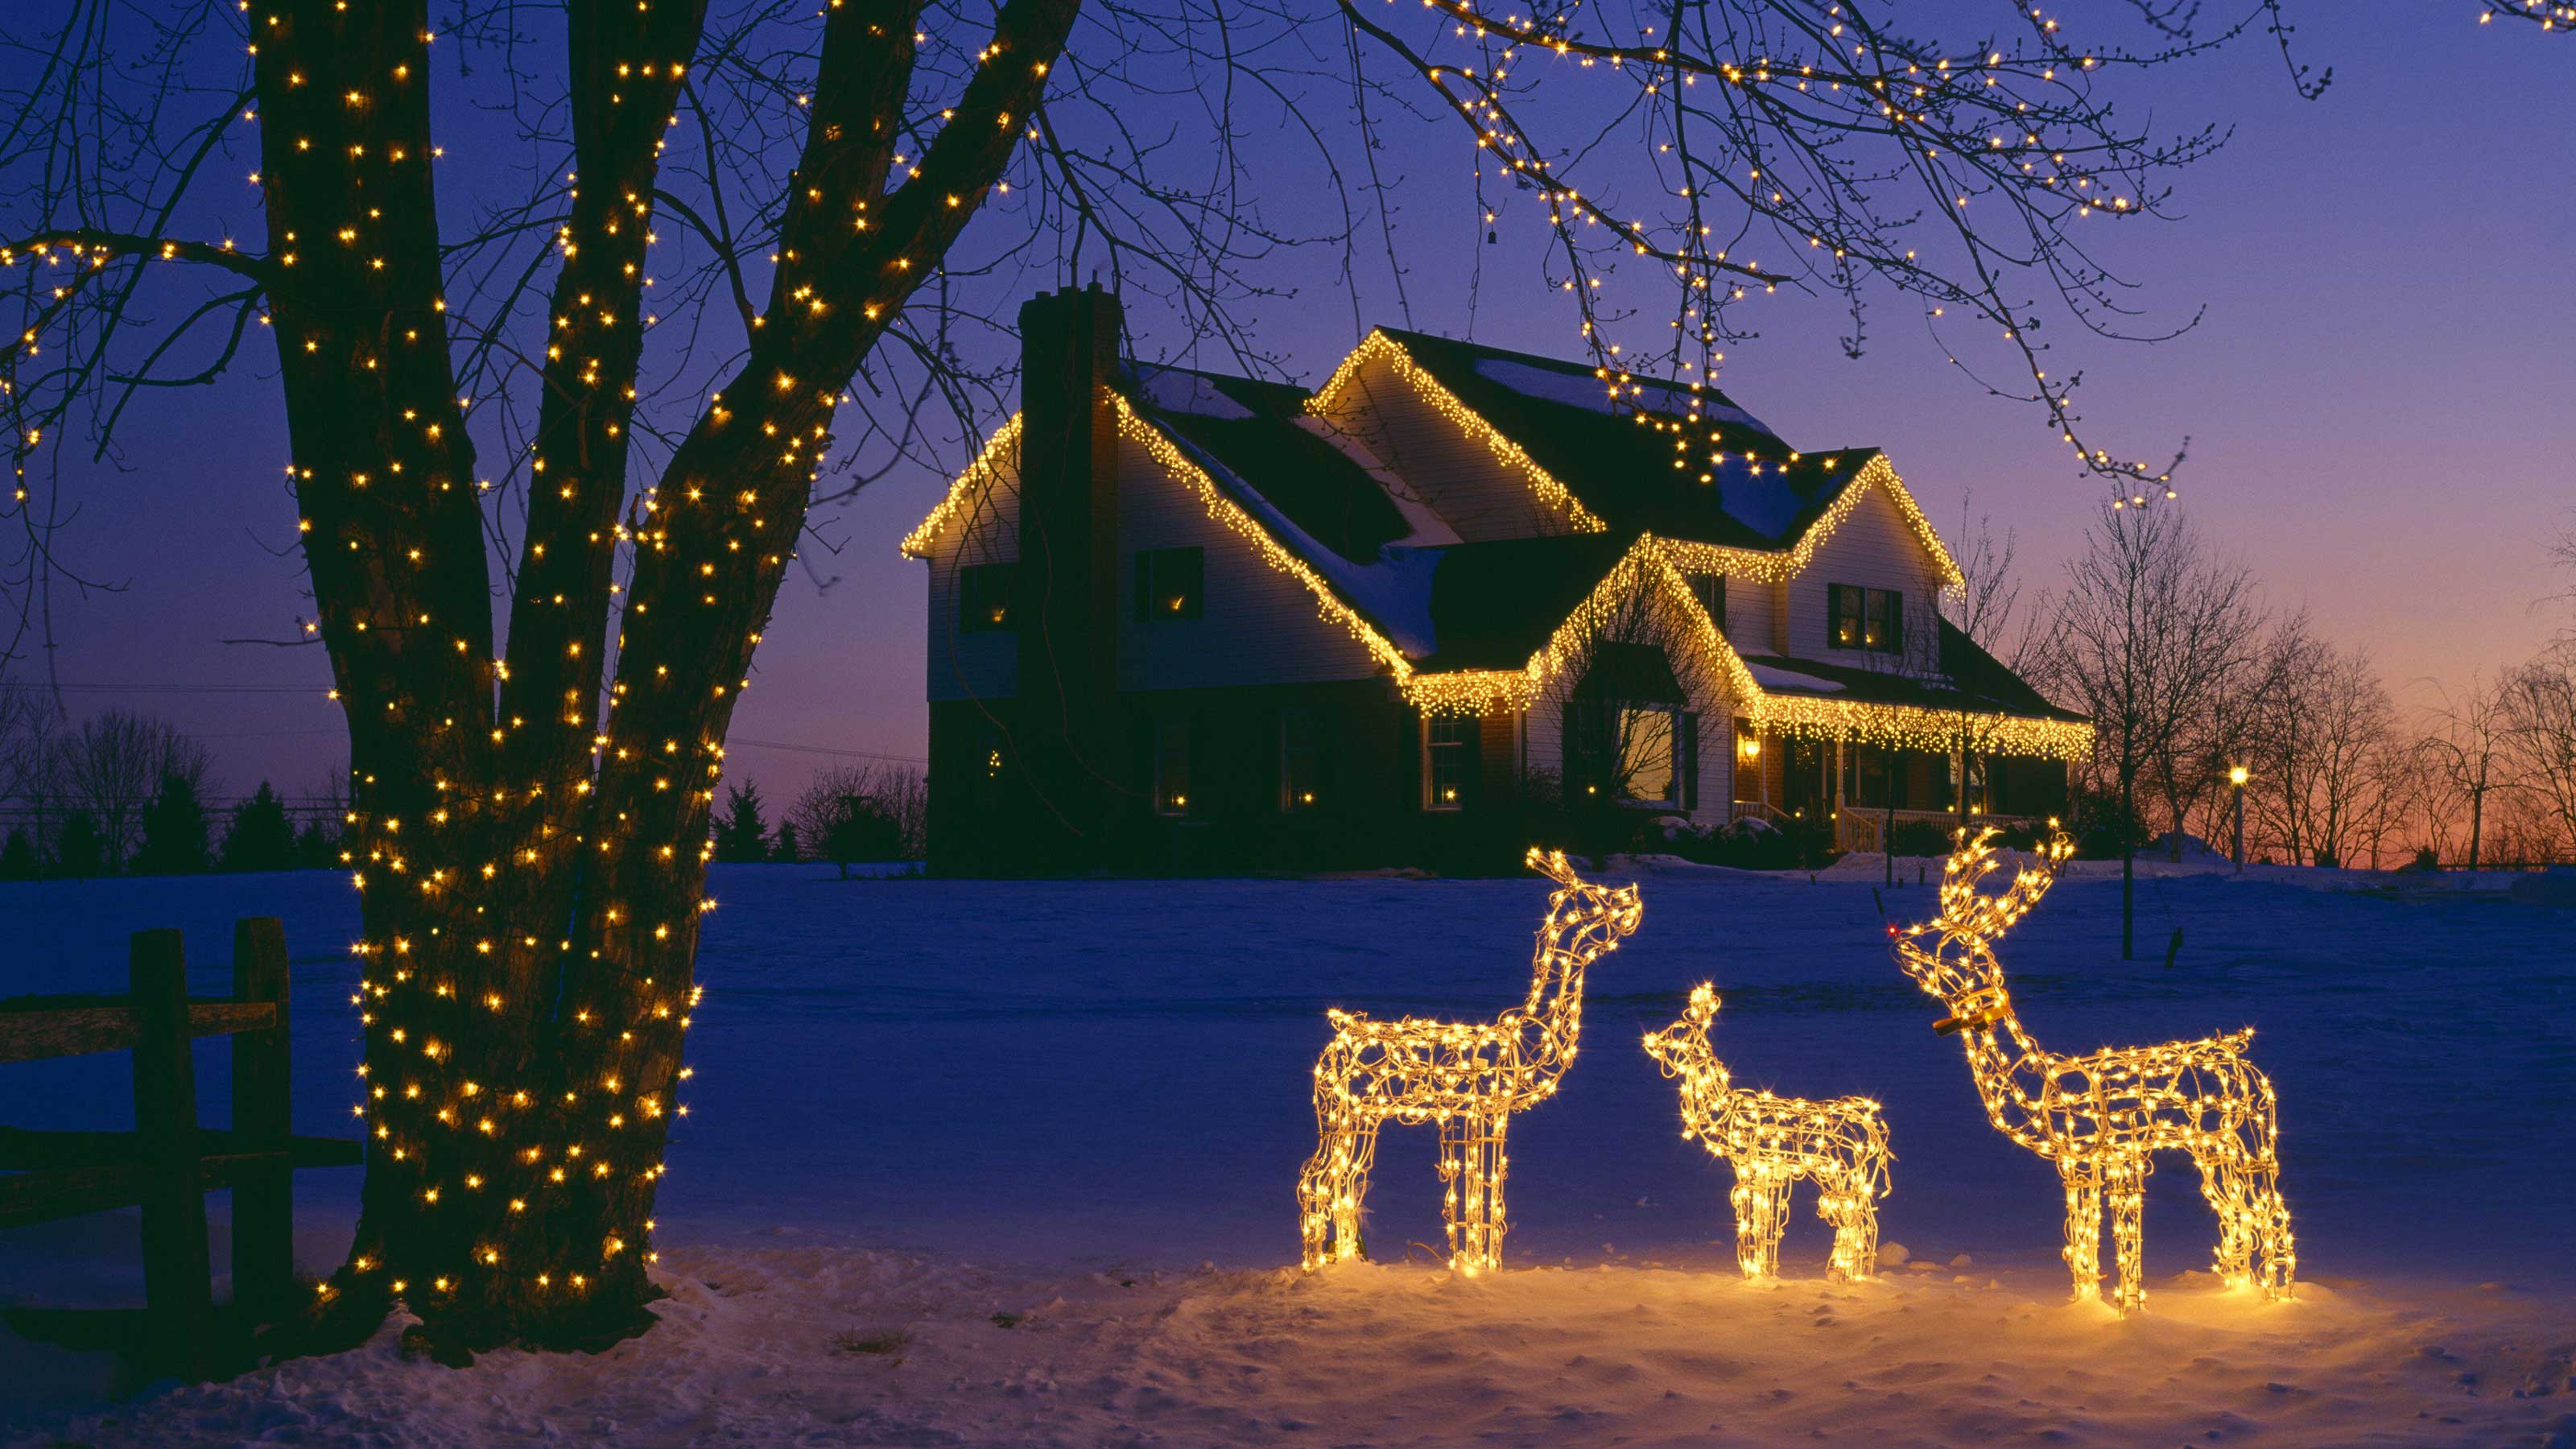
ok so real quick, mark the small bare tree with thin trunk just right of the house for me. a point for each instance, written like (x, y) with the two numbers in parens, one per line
(2152, 633)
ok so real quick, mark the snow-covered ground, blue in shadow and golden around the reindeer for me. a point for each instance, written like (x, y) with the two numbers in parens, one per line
(996, 1164)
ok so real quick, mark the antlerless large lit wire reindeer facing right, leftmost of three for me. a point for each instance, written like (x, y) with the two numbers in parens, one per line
(1467, 1076)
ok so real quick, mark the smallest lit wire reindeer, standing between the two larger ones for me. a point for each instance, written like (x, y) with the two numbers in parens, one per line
(1774, 1141)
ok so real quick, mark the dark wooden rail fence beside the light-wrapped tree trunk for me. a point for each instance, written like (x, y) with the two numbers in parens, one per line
(169, 1164)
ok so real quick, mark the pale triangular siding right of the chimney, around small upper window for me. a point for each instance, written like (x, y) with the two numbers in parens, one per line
(1256, 625)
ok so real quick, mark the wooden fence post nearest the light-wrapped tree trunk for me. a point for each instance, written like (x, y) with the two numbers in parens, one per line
(264, 1200)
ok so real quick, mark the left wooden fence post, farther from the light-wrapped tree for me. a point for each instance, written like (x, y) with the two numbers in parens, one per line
(179, 1301)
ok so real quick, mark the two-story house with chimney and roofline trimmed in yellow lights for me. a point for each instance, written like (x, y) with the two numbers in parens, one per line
(1207, 623)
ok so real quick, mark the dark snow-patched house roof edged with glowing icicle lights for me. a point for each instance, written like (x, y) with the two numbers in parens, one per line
(1470, 625)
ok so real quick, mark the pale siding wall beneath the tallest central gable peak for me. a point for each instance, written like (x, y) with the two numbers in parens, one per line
(1454, 473)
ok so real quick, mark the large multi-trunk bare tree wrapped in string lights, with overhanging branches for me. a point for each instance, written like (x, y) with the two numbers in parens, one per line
(774, 205)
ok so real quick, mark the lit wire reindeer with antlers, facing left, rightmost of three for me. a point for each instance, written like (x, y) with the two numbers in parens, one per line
(2106, 1115)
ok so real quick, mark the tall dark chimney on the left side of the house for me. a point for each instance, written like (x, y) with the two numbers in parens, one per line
(1073, 736)
